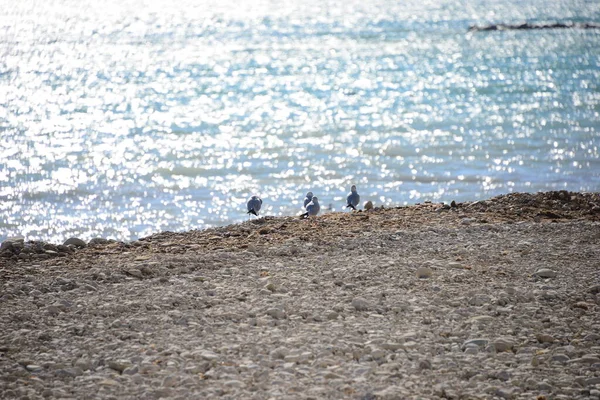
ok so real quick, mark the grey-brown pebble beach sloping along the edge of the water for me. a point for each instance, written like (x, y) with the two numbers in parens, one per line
(496, 298)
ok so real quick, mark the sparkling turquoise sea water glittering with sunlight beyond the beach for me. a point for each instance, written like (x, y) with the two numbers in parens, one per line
(125, 118)
